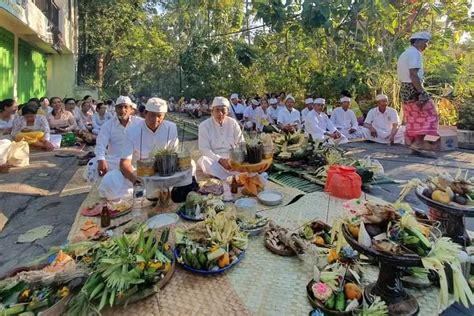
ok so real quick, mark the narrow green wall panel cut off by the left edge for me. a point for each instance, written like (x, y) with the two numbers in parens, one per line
(6, 64)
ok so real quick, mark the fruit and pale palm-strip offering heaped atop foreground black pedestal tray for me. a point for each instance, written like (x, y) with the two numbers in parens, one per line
(392, 230)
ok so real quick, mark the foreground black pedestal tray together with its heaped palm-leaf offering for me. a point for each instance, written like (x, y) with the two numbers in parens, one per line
(391, 235)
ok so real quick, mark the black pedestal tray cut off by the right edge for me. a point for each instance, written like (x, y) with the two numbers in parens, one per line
(453, 224)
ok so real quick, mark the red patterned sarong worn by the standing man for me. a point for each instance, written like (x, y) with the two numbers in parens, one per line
(420, 121)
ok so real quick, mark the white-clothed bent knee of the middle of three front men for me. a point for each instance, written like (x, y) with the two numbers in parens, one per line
(115, 186)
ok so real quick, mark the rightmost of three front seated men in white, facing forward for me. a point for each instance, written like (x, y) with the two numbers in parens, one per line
(217, 135)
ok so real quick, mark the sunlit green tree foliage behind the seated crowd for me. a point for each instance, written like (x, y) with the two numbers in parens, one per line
(306, 47)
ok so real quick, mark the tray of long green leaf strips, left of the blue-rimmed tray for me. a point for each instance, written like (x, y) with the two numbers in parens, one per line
(124, 270)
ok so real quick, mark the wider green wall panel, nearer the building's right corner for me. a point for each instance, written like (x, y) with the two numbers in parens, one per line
(32, 72)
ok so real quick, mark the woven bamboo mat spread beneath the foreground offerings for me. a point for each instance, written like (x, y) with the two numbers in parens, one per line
(262, 283)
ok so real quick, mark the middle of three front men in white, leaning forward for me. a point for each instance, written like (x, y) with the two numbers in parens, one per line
(149, 135)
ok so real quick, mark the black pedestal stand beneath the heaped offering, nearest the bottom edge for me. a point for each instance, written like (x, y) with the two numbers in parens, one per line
(388, 285)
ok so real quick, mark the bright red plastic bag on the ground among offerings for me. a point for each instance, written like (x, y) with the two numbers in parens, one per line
(343, 182)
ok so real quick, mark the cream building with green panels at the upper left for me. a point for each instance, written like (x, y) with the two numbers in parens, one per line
(38, 48)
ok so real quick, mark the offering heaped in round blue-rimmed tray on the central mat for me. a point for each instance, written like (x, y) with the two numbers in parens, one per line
(212, 246)
